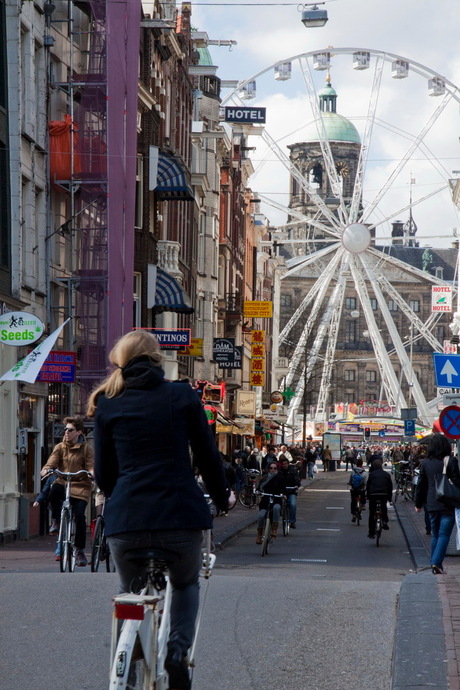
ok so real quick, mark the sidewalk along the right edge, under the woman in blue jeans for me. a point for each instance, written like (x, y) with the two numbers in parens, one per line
(429, 606)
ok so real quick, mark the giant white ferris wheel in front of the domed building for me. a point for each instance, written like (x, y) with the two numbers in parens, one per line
(337, 169)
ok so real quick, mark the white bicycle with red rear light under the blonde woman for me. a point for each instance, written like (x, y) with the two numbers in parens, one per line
(140, 625)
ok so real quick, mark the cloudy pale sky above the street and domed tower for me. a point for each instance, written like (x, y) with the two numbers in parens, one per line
(423, 33)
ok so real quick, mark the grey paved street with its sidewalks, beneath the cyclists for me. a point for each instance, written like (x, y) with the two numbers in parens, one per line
(306, 616)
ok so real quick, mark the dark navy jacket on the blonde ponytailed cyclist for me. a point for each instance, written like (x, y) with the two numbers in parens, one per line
(142, 459)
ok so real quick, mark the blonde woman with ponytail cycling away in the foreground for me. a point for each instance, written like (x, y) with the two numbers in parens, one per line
(142, 431)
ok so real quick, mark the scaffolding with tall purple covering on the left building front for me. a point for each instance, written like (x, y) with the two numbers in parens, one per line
(101, 179)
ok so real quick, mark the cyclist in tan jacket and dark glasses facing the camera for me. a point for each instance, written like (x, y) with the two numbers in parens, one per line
(72, 455)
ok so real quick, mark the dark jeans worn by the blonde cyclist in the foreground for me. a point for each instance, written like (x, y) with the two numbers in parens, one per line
(185, 549)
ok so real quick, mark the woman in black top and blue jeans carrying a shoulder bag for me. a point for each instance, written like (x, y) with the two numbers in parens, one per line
(442, 515)
